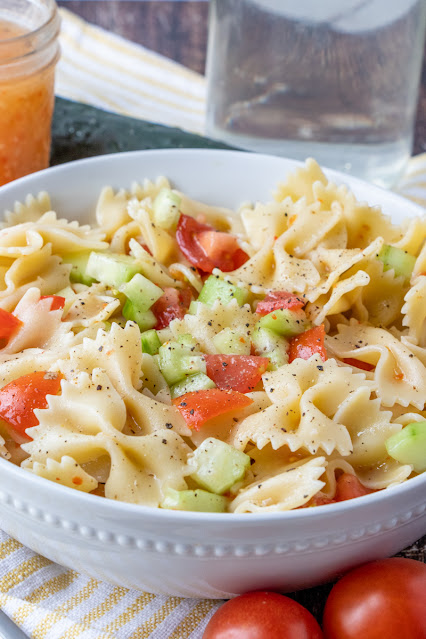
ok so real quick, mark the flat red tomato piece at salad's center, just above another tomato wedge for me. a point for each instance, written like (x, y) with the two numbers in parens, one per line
(236, 372)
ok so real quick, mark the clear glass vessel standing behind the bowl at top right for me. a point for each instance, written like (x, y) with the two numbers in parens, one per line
(333, 79)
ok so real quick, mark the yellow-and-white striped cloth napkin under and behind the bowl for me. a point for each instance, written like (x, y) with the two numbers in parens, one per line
(44, 599)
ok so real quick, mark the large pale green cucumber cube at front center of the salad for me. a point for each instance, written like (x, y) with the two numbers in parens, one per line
(217, 465)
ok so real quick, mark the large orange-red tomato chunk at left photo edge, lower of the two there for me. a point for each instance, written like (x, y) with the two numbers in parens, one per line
(19, 398)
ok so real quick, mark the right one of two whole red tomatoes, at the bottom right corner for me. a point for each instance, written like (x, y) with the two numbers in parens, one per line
(383, 599)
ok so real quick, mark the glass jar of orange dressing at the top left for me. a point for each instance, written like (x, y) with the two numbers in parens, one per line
(29, 51)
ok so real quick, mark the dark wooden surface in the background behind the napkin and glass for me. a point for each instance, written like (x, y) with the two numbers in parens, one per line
(178, 30)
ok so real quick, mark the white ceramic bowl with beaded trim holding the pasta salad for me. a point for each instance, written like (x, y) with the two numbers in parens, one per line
(185, 553)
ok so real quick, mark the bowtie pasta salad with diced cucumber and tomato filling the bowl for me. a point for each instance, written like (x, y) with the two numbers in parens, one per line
(183, 356)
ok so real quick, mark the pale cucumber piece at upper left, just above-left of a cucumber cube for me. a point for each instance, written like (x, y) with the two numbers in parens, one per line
(112, 269)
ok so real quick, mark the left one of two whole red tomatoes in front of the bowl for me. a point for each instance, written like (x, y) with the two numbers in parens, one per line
(262, 615)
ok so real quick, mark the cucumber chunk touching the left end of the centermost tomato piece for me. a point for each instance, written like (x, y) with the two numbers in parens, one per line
(176, 361)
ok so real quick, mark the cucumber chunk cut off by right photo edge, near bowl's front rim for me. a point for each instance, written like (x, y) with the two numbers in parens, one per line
(408, 446)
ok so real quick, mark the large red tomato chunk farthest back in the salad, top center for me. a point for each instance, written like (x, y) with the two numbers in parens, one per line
(206, 248)
